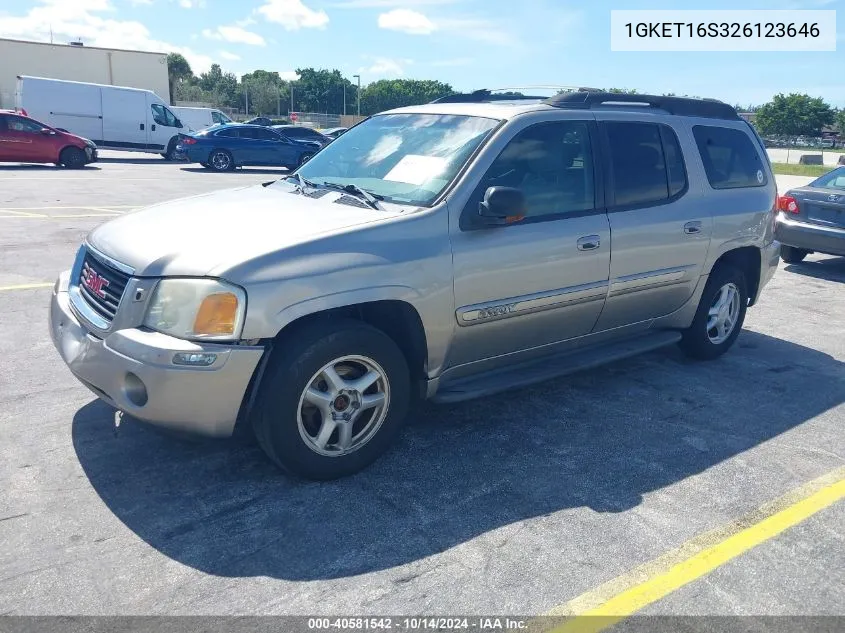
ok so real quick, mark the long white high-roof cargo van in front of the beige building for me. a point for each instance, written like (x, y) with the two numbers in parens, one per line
(114, 117)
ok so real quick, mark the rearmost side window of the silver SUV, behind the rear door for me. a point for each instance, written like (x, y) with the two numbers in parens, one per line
(730, 158)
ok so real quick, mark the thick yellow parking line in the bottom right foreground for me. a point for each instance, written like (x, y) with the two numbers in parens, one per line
(620, 598)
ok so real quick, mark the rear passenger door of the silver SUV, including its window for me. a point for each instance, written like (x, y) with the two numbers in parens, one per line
(661, 228)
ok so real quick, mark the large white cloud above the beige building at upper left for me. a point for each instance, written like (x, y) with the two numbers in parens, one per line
(64, 21)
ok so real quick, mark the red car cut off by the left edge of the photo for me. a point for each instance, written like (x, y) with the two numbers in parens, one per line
(25, 140)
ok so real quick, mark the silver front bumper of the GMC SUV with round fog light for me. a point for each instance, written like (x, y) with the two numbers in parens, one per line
(132, 370)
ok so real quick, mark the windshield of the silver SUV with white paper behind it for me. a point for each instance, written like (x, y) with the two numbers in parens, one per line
(402, 158)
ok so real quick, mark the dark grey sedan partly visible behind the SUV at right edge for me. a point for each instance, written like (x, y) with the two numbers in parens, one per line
(811, 219)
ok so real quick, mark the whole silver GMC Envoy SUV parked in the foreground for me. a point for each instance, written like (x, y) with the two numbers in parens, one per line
(444, 251)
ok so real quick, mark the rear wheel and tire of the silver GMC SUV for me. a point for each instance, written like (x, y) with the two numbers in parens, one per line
(720, 315)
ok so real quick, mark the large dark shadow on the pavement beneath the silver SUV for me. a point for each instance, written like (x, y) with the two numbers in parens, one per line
(601, 439)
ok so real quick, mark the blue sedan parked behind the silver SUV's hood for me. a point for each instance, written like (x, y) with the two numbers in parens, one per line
(225, 147)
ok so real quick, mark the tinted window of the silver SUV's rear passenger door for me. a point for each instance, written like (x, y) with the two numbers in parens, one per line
(646, 163)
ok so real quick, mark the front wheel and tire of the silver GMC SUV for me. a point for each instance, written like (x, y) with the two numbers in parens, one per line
(333, 399)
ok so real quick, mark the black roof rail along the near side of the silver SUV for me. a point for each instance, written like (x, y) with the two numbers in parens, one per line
(686, 106)
